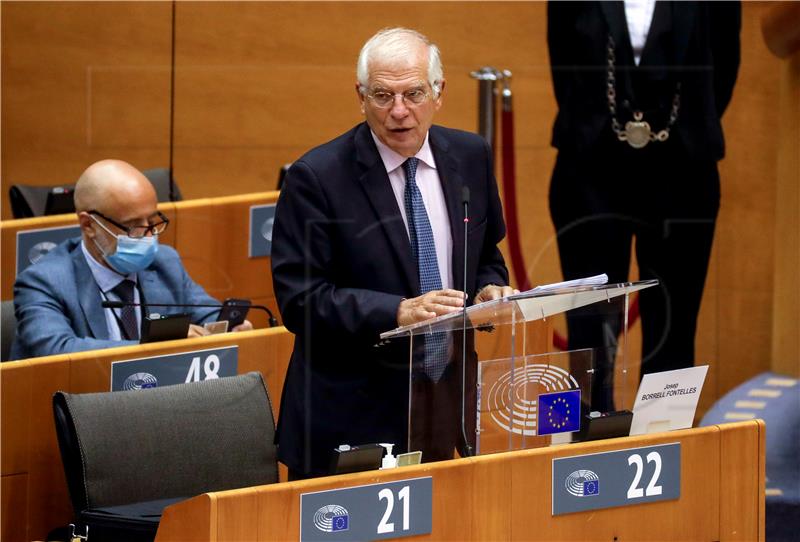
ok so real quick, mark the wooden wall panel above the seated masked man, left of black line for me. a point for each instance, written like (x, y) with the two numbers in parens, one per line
(82, 81)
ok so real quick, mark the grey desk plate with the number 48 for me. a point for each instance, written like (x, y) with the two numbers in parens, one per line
(171, 369)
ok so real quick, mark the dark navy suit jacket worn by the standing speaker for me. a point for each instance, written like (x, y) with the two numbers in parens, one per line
(341, 264)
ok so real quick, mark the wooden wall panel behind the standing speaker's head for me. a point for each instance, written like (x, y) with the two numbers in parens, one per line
(258, 84)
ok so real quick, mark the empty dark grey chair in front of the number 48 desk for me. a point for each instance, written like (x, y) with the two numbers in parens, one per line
(129, 454)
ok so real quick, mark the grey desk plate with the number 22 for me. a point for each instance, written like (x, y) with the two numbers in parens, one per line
(617, 478)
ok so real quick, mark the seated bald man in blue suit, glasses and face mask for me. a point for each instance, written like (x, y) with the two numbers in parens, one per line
(117, 258)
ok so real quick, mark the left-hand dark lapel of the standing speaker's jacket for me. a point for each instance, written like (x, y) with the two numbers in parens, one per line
(376, 185)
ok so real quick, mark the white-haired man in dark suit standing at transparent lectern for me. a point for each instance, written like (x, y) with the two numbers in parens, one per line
(369, 236)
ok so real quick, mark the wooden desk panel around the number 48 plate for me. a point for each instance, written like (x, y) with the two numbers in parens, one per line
(29, 446)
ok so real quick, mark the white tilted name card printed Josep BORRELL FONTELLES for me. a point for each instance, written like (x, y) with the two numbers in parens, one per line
(667, 400)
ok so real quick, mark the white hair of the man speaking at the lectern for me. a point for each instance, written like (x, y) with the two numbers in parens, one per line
(393, 44)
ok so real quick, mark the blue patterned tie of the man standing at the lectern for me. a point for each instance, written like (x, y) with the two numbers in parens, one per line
(424, 250)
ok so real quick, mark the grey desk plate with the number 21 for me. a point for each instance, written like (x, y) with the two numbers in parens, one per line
(371, 512)
